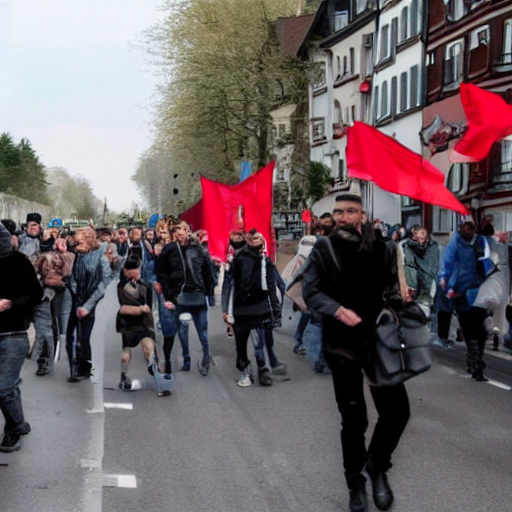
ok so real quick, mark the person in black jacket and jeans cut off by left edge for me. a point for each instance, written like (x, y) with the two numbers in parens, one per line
(20, 292)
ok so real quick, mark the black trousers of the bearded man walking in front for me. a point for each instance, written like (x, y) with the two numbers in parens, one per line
(392, 406)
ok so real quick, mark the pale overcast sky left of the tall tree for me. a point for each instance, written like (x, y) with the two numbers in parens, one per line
(75, 82)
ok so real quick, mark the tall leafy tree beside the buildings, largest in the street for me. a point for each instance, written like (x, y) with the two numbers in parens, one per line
(223, 73)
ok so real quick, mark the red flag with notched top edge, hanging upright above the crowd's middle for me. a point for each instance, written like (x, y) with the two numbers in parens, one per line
(226, 207)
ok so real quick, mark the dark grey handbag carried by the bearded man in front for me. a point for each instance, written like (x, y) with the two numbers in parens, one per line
(401, 346)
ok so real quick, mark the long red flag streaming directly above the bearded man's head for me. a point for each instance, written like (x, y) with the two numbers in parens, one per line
(373, 156)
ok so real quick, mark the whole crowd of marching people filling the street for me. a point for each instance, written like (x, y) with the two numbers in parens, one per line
(345, 271)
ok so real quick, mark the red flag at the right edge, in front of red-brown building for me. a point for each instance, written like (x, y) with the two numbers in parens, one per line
(489, 119)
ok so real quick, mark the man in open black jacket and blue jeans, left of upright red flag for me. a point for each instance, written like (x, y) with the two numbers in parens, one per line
(184, 275)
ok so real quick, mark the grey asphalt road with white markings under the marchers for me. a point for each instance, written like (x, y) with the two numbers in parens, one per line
(212, 446)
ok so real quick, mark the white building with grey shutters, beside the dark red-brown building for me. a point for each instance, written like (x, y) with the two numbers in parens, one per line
(398, 93)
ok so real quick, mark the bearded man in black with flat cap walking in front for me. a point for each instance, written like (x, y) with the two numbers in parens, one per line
(346, 280)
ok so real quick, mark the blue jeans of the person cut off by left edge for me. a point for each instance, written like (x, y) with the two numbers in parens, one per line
(13, 349)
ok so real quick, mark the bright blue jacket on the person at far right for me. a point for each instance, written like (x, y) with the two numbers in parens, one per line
(460, 263)
